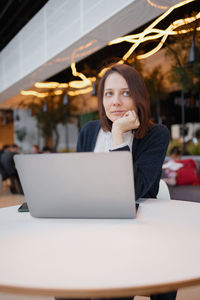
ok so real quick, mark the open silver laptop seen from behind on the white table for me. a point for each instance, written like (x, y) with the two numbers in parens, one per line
(78, 185)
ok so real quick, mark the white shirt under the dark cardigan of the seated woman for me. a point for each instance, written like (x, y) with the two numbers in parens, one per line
(104, 141)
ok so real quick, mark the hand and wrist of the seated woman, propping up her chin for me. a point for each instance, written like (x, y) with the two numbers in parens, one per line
(129, 121)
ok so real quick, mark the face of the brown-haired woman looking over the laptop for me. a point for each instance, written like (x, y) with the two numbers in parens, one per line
(116, 97)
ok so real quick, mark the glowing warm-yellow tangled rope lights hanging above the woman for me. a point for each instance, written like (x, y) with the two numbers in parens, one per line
(150, 33)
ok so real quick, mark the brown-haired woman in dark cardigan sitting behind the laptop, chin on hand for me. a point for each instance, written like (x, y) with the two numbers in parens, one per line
(125, 125)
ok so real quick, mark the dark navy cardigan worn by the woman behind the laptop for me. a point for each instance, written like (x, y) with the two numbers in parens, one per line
(148, 155)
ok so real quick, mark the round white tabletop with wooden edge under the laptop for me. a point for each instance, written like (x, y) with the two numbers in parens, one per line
(86, 258)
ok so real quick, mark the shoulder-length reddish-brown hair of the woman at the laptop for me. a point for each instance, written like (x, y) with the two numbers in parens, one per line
(138, 93)
